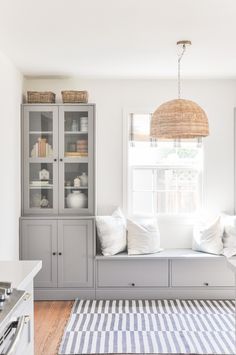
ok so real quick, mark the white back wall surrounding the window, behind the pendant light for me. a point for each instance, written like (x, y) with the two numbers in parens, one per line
(217, 97)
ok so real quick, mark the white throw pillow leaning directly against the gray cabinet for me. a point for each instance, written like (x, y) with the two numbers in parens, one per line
(111, 232)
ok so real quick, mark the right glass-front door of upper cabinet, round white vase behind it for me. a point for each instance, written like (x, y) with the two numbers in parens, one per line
(76, 159)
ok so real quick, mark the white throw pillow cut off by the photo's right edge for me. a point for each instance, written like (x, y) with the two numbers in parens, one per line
(229, 236)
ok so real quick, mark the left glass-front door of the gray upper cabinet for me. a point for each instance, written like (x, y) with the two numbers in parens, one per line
(40, 173)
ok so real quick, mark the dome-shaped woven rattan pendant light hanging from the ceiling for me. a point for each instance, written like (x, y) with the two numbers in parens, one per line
(179, 118)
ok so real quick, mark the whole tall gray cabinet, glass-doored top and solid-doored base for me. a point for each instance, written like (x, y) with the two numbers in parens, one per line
(58, 196)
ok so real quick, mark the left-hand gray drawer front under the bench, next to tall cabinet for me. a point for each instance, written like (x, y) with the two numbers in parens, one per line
(131, 273)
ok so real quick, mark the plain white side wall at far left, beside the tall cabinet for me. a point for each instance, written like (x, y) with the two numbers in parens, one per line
(10, 99)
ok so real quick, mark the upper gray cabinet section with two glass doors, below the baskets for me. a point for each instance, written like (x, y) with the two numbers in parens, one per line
(58, 159)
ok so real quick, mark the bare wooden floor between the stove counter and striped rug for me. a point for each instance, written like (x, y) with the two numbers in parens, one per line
(50, 320)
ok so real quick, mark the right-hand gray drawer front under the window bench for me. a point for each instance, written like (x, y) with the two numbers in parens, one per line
(201, 273)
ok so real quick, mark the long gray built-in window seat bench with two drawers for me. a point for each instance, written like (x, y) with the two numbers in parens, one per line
(173, 273)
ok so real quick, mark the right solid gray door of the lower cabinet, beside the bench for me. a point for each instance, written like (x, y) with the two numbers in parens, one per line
(75, 253)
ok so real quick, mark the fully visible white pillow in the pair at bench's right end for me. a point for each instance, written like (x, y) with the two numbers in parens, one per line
(207, 236)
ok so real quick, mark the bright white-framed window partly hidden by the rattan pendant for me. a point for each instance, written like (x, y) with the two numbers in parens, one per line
(163, 177)
